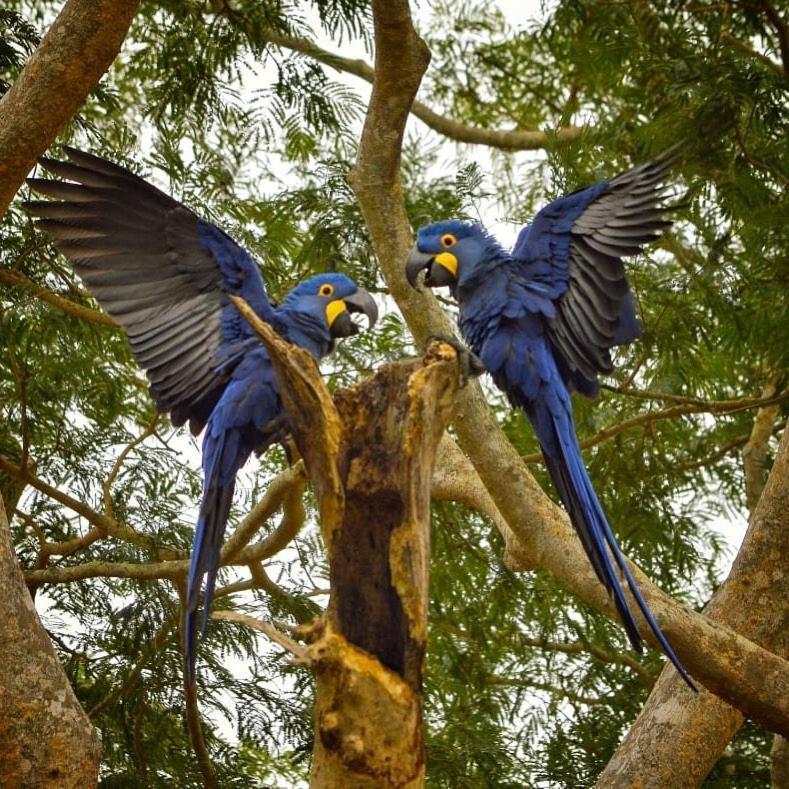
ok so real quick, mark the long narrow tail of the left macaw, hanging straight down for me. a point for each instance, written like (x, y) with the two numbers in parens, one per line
(219, 459)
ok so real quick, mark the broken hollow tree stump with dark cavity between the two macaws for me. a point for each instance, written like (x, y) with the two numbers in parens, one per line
(370, 456)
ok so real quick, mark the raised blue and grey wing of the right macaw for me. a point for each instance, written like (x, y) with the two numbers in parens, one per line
(572, 253)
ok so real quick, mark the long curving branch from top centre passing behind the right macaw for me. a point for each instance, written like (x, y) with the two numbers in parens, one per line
(738, 670)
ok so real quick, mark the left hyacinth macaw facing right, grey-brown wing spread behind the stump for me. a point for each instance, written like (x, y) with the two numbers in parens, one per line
(164, 274)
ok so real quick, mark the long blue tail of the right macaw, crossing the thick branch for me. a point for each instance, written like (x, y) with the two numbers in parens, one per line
(556, 431)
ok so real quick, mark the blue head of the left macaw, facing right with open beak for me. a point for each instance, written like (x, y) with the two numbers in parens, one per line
(327, 301)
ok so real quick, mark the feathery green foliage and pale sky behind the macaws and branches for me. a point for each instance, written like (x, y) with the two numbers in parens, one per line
(524, 684)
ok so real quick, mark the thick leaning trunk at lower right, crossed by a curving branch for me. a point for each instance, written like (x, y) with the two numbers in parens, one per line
(679, 736)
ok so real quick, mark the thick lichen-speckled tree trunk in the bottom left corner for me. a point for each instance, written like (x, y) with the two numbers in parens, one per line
(46, 740)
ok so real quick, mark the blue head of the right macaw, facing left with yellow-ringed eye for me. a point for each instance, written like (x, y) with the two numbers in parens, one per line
(452, 253)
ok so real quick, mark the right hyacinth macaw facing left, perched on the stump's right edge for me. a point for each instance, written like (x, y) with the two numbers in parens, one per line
(542, 319)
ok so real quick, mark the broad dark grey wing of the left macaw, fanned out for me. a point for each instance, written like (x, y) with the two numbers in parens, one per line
(160, 271)
